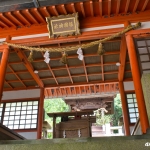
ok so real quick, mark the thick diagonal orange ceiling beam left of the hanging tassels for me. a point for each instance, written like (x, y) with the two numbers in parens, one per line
(29, 67)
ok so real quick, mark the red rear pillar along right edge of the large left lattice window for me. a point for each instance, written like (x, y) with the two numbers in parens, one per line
(40, 114)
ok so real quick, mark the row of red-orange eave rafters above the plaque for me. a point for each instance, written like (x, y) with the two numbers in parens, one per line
(89, 8)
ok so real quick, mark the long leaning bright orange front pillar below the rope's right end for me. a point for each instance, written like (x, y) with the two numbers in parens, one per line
(137, 83)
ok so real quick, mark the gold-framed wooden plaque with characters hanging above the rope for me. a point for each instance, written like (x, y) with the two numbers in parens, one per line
(63, 25)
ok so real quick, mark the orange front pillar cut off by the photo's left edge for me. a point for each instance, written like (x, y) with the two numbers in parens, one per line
(3, 67)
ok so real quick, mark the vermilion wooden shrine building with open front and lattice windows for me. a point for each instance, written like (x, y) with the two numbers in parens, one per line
(22, 91)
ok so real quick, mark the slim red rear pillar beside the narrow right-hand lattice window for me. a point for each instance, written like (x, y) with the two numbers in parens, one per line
(124, 109)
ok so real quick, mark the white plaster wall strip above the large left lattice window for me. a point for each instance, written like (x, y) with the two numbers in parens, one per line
(20, 94)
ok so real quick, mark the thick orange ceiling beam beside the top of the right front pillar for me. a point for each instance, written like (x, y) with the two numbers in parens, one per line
(123, 53)
